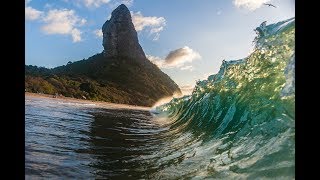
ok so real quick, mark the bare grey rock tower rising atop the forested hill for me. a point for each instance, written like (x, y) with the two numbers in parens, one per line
(120, 38)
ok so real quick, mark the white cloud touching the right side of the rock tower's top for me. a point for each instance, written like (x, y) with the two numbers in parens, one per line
(153, 25)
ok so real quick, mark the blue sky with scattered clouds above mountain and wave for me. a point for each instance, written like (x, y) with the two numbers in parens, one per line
(186, 39)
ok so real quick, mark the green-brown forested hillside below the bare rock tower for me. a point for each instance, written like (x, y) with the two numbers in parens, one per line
(127, 81)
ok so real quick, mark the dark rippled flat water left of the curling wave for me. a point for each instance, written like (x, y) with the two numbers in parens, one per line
(79, 140)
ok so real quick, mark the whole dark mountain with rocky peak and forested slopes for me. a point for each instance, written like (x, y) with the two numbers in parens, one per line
(120, 74)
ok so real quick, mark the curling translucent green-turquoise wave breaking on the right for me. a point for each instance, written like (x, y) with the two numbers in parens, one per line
(244, 116)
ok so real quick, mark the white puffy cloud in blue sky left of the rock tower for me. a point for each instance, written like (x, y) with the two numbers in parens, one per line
(63, 21)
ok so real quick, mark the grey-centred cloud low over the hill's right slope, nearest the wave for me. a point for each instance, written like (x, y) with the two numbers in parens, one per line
(176, 58)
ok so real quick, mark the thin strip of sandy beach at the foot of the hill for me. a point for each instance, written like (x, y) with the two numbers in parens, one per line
(102, 104)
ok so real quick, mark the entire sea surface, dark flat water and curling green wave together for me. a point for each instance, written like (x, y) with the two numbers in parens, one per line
(237, 124)
